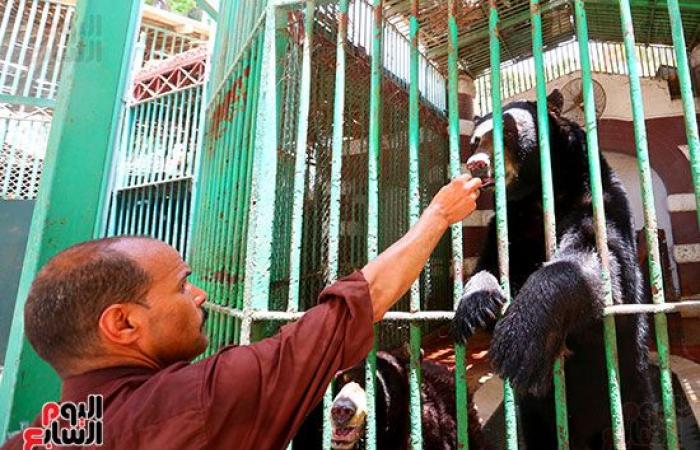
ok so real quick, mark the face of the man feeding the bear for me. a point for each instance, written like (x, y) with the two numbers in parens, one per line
(174, 328)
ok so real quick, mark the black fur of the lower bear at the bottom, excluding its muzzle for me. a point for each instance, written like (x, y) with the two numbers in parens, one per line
(392, 411)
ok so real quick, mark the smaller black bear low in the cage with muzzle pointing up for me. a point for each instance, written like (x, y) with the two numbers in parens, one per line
(348, 411)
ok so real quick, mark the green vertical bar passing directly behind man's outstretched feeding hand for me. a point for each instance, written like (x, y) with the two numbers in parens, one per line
(456, 229)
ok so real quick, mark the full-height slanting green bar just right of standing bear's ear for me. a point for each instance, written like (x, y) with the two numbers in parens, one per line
(601, 232)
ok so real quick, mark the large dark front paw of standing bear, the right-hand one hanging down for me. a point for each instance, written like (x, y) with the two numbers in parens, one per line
(524, 351)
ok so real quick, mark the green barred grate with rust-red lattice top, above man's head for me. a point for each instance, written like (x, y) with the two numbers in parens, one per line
(158, 153)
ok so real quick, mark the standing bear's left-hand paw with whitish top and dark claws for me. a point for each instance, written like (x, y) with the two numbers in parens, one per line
(480, 305)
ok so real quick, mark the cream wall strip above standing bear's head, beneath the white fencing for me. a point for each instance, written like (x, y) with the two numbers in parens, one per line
(657, 101)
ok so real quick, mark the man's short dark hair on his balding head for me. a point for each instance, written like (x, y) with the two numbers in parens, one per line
(70, 293)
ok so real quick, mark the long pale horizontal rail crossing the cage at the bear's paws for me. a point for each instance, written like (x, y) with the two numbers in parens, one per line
(615, 310)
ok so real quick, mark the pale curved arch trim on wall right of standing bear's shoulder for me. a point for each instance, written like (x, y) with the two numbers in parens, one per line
(626, 168)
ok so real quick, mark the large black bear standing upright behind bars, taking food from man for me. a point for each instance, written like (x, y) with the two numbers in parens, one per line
(557, 305)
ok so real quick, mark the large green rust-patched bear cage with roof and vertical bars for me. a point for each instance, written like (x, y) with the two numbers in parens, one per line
(253, 99)
